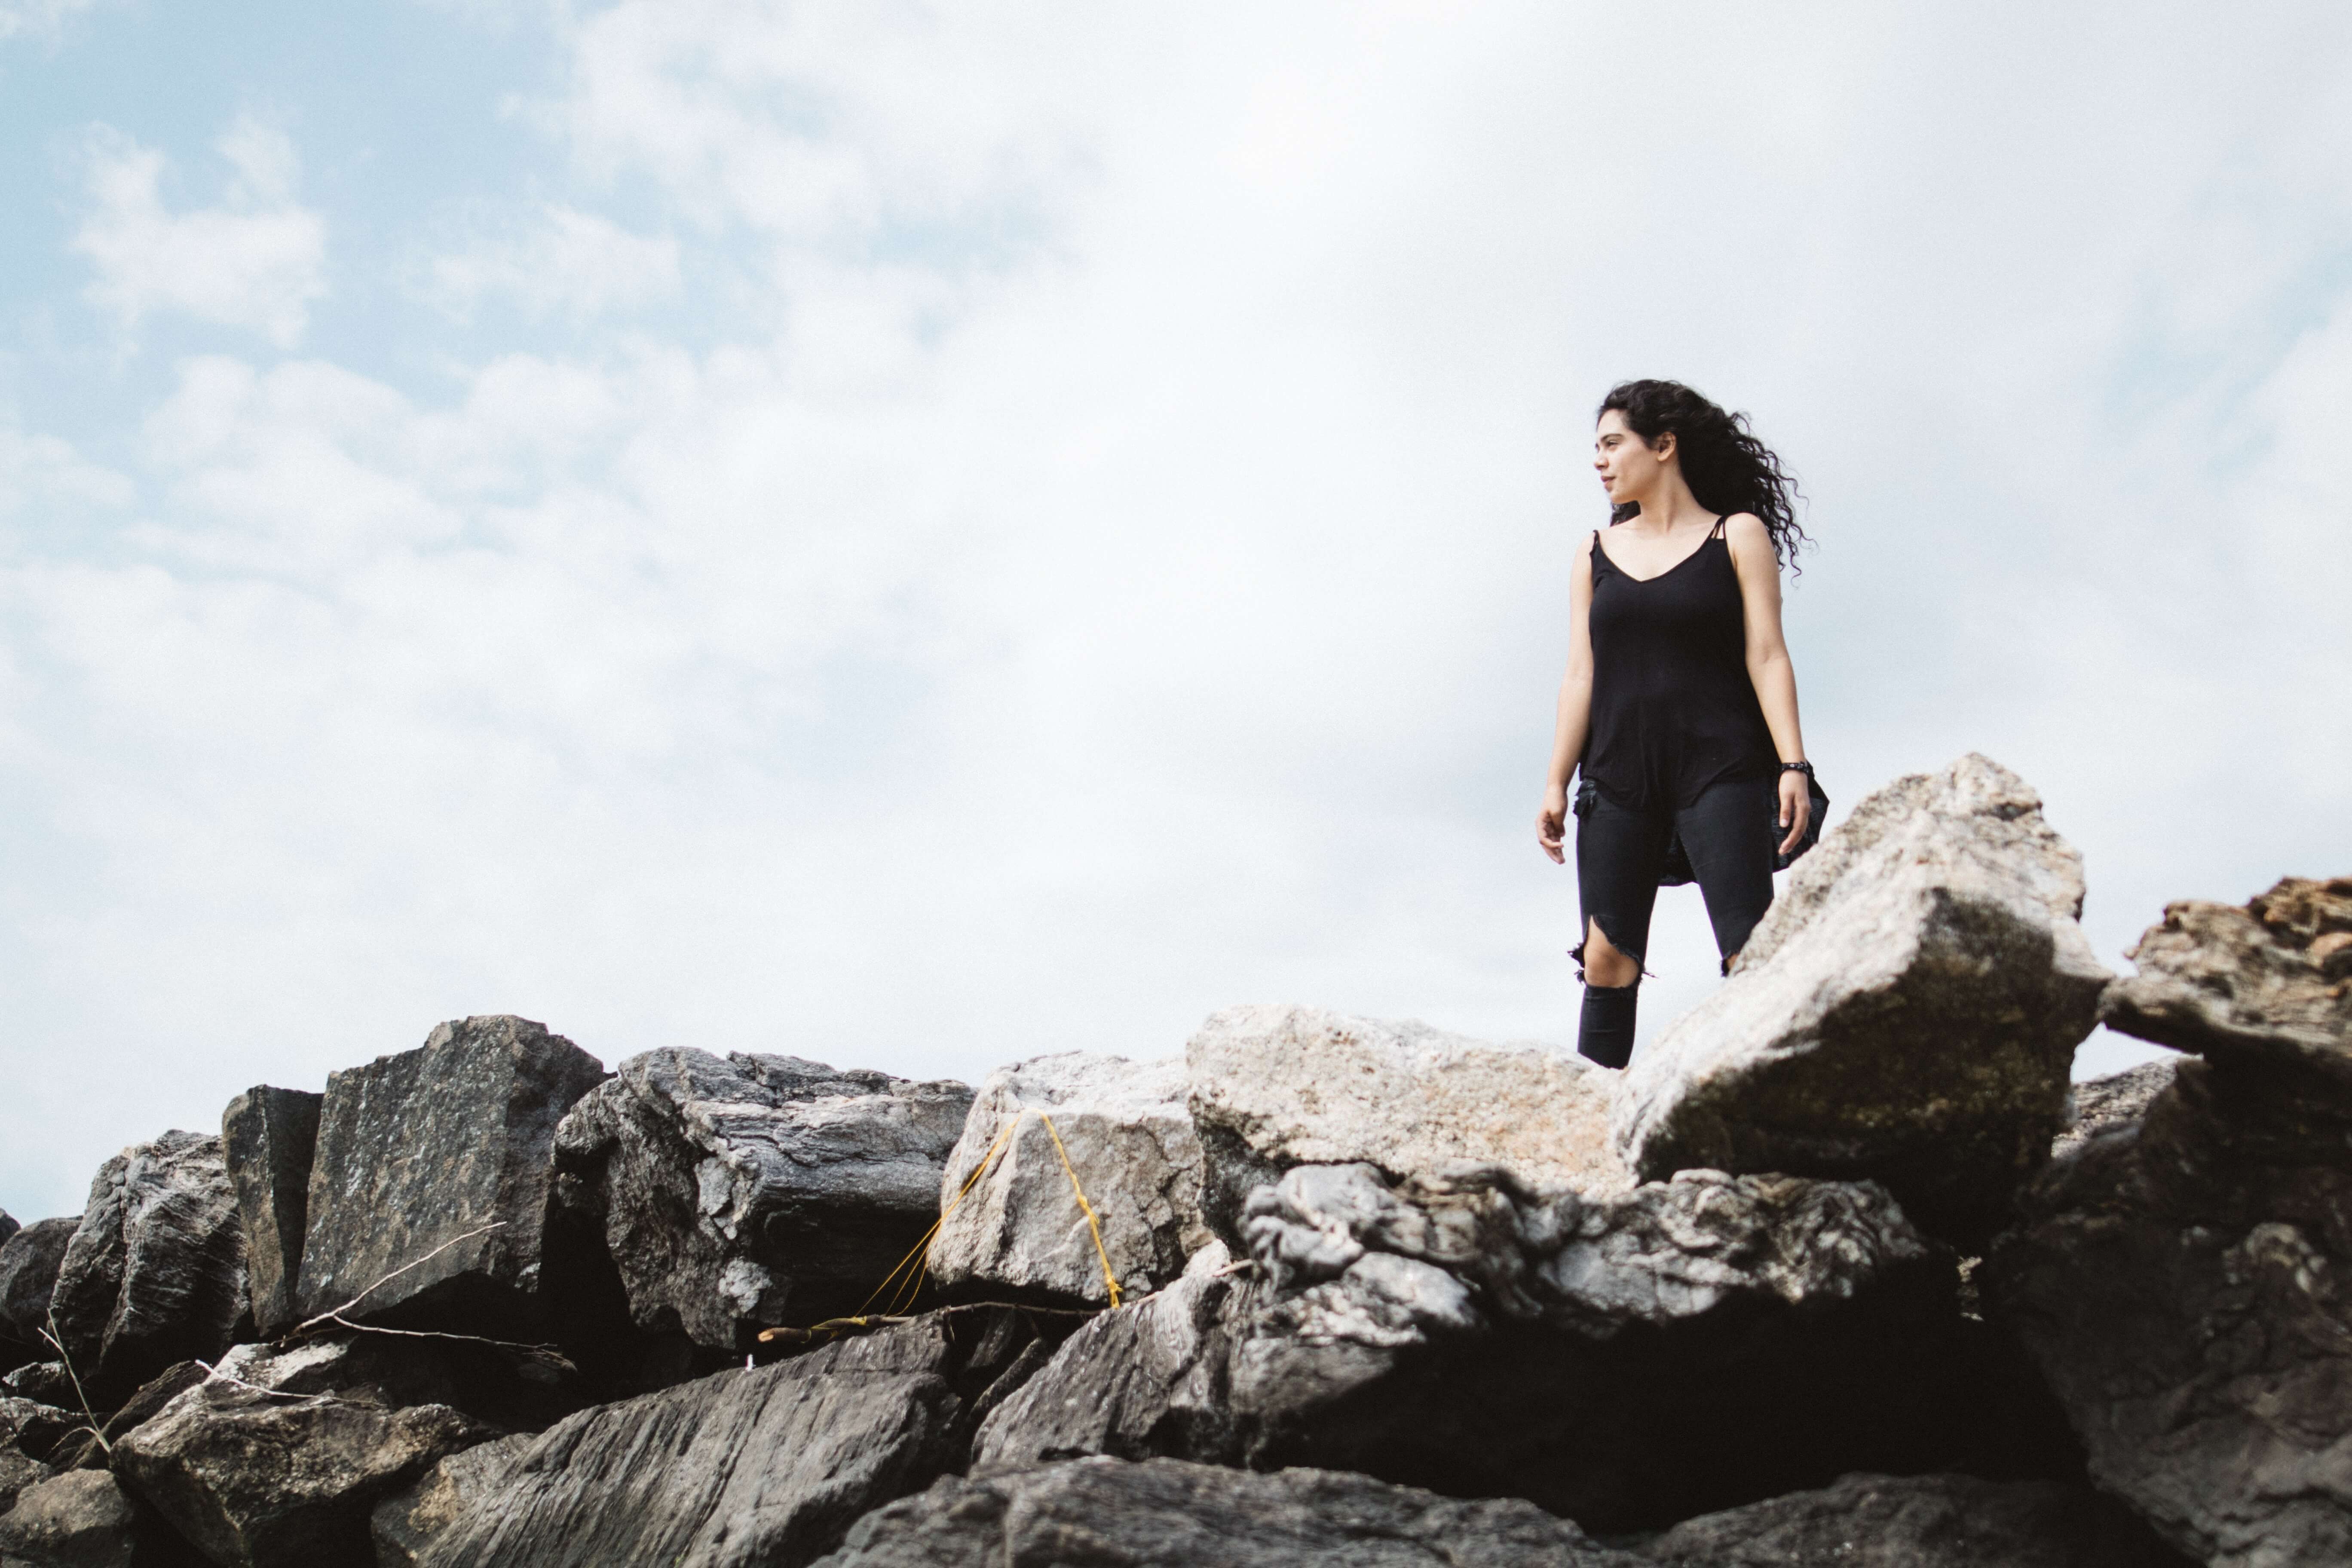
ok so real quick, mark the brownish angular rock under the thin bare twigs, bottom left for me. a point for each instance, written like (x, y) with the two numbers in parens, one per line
(267, 1482)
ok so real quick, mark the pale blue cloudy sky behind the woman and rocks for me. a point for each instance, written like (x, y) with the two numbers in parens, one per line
(921, 537)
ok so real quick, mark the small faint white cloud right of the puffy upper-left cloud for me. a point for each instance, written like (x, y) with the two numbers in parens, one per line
(559, 262)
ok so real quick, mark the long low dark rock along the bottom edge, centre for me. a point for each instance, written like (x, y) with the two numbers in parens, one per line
(1175, 1515)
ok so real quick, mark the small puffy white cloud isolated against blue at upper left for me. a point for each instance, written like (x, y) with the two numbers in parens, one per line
(258, 260)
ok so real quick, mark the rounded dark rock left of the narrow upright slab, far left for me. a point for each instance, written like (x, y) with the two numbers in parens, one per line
(156, 1268)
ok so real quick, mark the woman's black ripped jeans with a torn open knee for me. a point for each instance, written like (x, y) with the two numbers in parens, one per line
(1730, 840)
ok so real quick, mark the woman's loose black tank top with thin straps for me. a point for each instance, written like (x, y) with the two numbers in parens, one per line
(1673, 709)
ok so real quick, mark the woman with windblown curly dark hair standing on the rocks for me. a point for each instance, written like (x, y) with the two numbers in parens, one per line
(1681, 702)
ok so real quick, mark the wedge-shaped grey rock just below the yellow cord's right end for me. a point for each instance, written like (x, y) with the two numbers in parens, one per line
(1135, 1383)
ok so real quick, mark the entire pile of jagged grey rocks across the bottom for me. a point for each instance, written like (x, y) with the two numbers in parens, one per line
(1840, 1273)
